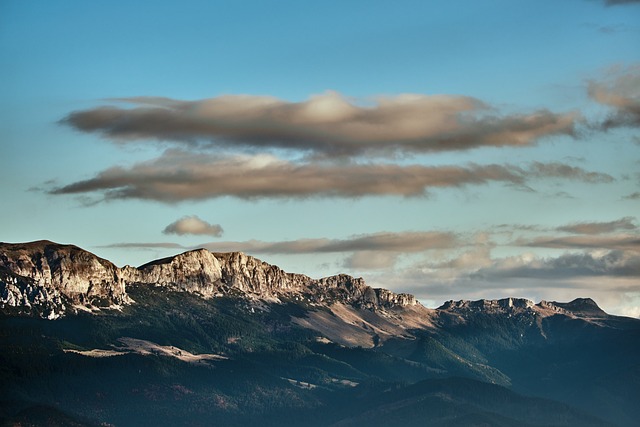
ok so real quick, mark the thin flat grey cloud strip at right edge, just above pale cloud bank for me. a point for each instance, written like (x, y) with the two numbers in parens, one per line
(628, 242)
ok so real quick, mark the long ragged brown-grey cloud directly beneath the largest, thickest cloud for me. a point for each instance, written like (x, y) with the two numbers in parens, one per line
(177, 176)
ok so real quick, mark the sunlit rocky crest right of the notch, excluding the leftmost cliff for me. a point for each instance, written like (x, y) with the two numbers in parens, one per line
(234, 273)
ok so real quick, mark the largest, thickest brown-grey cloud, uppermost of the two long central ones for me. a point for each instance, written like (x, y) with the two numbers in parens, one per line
(328, 124)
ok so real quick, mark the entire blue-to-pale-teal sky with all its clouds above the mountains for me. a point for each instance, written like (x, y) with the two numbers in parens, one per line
(454, 150)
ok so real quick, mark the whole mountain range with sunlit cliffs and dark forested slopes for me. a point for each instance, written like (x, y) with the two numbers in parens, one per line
(202, 338)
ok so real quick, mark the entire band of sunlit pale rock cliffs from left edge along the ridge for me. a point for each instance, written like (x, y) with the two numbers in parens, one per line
(43, 275)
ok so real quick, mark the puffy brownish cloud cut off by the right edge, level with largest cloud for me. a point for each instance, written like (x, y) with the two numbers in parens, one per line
(620, 90)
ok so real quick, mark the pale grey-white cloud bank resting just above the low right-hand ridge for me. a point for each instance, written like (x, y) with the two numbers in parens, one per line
(611, 277)
